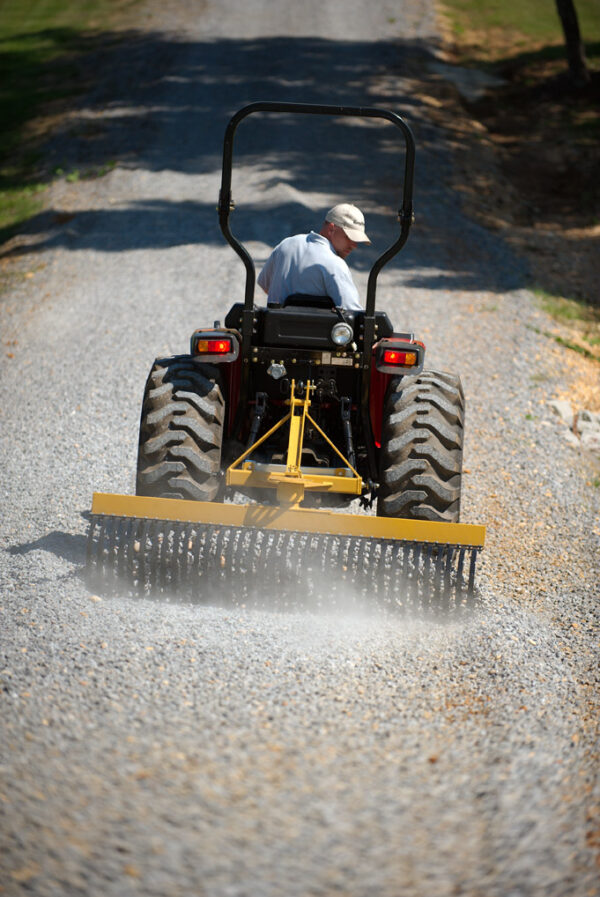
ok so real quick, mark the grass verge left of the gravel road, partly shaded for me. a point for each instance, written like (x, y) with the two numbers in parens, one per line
(40, 44)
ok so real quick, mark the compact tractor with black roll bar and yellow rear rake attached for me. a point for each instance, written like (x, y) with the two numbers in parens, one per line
(264, 450)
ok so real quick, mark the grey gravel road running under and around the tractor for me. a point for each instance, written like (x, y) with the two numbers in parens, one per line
(154, 748)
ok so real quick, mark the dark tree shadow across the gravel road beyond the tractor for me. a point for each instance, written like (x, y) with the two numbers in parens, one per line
(161, 104)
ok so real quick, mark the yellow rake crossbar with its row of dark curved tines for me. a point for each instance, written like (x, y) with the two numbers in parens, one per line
(275, 556)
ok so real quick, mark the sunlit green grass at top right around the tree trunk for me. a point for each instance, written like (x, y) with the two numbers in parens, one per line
(523, 23)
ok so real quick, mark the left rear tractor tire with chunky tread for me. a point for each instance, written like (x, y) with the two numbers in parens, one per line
(181, 431)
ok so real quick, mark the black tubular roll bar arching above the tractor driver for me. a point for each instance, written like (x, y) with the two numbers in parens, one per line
(405, 213)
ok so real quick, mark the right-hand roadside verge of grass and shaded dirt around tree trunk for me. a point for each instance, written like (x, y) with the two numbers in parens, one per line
(542, 189)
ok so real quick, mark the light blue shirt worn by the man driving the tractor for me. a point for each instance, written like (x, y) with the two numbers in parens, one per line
(308, 263)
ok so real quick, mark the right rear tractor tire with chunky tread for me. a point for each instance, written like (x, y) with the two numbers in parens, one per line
(421, 448)
